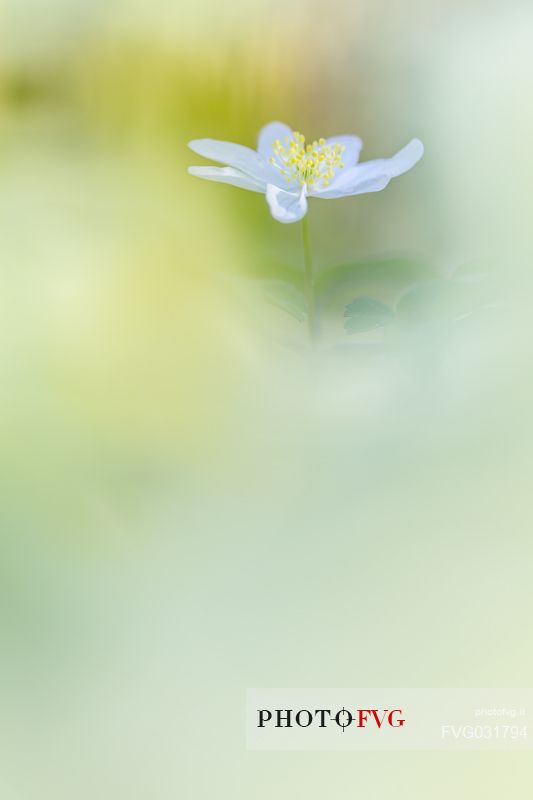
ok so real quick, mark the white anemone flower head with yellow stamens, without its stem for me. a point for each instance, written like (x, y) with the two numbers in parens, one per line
(288, 171)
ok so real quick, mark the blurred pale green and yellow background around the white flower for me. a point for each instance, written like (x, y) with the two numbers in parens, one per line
(188, 507)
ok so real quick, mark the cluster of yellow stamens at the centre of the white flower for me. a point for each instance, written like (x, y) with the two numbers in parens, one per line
(312, 165)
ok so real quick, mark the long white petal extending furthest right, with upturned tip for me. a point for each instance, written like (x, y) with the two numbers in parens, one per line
(372, 176)
